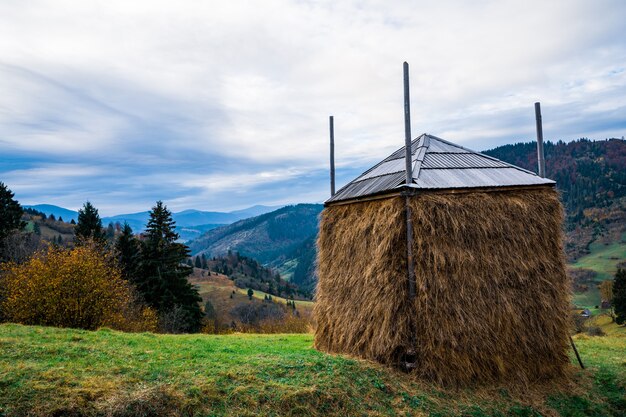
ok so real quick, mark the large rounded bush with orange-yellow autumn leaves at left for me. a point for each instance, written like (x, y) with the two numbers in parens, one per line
(78, 288)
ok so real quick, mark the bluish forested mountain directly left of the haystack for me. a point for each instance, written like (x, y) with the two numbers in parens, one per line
(275, 239)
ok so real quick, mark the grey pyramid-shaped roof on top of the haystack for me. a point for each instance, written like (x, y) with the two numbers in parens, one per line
(438, 164)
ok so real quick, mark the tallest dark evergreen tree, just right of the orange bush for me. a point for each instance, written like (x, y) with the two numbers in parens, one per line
(163, 281)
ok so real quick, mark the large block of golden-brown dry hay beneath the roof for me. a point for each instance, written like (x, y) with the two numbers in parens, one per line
(492, 294)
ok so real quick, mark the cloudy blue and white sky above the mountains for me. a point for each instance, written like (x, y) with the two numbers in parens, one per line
(221, 105)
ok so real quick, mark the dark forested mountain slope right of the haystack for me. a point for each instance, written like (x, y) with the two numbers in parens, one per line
(591, 177)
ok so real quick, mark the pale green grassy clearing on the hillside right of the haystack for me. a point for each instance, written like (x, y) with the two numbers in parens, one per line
(603, 259)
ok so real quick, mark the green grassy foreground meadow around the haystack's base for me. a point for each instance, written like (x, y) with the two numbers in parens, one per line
(57, 372)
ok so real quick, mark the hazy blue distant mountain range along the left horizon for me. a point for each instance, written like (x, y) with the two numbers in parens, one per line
(190, 223)
